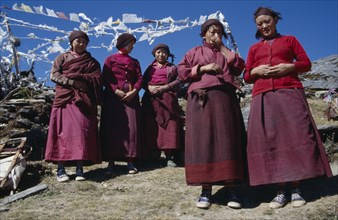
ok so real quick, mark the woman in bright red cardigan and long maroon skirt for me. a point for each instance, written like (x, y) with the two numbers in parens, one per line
(284, 146)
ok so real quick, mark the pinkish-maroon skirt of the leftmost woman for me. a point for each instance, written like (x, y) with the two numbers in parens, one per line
(72, 135)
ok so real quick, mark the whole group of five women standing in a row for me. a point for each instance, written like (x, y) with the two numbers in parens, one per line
(282, 145)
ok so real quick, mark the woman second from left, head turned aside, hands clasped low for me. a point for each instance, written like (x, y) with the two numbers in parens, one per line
(120, 118)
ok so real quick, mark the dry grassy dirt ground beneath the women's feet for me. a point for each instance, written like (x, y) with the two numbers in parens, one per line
(156, 192)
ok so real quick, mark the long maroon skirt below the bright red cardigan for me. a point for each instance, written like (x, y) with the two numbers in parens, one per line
(283, 142)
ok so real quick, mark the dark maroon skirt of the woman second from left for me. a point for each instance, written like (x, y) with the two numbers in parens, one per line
(120, 128)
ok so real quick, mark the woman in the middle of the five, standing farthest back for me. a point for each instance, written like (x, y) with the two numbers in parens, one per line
(160, 107)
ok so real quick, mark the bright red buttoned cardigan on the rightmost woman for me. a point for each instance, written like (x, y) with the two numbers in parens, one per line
(283, 49)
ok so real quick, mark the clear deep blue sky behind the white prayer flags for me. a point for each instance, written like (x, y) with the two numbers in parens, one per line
(314, 23)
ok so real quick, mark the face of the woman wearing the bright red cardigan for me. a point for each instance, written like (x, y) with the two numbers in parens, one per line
(266, 25)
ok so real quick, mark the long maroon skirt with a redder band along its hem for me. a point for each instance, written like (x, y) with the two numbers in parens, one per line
(214, 138)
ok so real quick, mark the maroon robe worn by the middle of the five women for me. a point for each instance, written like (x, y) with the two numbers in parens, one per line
(161, 114)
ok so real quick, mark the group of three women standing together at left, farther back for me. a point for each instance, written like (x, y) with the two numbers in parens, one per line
(73, 133)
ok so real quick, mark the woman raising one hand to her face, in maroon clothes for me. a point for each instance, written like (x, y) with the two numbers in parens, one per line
(215, 132)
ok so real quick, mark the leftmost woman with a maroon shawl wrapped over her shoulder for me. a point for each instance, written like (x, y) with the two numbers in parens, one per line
(73, 127)
